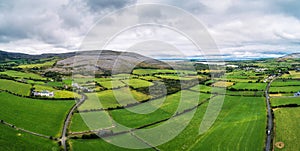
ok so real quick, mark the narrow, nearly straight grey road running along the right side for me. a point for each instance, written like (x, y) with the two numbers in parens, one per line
(270, 118)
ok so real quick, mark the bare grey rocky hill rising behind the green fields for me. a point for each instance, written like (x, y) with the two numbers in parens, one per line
(106, 62)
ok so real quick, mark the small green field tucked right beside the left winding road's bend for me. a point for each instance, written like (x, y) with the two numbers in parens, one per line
(90, 121)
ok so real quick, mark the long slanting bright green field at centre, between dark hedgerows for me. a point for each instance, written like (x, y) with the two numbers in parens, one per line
(158, 109)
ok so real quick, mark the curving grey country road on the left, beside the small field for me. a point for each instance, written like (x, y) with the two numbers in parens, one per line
(67, 122)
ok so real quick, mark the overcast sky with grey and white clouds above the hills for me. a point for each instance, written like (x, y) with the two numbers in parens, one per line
(239, 28)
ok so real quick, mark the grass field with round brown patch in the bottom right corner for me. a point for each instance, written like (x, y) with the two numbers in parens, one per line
(287, 130)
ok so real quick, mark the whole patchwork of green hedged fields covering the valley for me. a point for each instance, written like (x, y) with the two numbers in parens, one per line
(123, 107)
